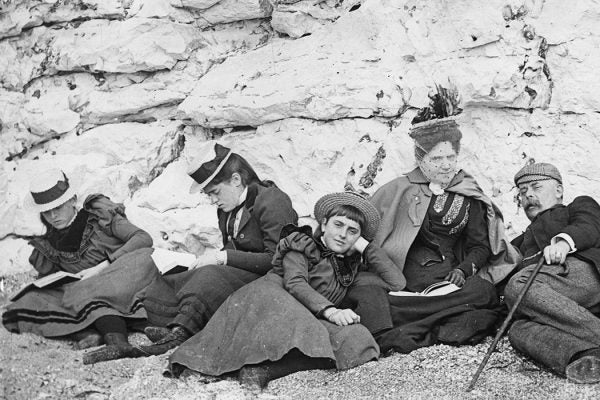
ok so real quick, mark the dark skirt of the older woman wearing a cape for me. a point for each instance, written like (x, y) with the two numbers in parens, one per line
(462, 317)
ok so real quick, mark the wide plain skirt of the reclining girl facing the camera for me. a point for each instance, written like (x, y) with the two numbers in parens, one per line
(263, 322)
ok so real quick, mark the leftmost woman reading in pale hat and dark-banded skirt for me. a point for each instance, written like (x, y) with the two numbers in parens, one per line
(97, 307)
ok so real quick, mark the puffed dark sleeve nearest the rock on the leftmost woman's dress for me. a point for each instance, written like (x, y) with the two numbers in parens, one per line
(112, 219)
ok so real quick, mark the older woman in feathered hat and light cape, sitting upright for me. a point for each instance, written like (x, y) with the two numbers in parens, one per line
(438, 225)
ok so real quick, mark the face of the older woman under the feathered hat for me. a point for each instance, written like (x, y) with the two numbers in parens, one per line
(439, 165)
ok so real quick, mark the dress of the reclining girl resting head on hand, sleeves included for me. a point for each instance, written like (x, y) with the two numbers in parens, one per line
(281, 312)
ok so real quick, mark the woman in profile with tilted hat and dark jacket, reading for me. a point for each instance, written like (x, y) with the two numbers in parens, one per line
(251, 213)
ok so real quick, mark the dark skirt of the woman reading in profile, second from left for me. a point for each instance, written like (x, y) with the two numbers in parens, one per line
(190, 298)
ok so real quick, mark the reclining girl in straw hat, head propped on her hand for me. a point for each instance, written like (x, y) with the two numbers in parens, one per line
(294, 318)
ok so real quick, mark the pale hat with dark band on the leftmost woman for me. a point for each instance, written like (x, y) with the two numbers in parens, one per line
(50, 189)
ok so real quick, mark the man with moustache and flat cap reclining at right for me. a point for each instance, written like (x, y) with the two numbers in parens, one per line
(555, 323)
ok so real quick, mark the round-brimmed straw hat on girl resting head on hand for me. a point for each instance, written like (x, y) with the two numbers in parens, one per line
(329, 201)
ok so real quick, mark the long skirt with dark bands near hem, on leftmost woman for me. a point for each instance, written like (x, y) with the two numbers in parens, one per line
(116, 290)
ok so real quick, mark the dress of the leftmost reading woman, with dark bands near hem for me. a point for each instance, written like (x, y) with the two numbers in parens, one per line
(99, 232)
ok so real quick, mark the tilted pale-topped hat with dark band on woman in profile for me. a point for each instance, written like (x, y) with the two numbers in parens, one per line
(207, 165)
